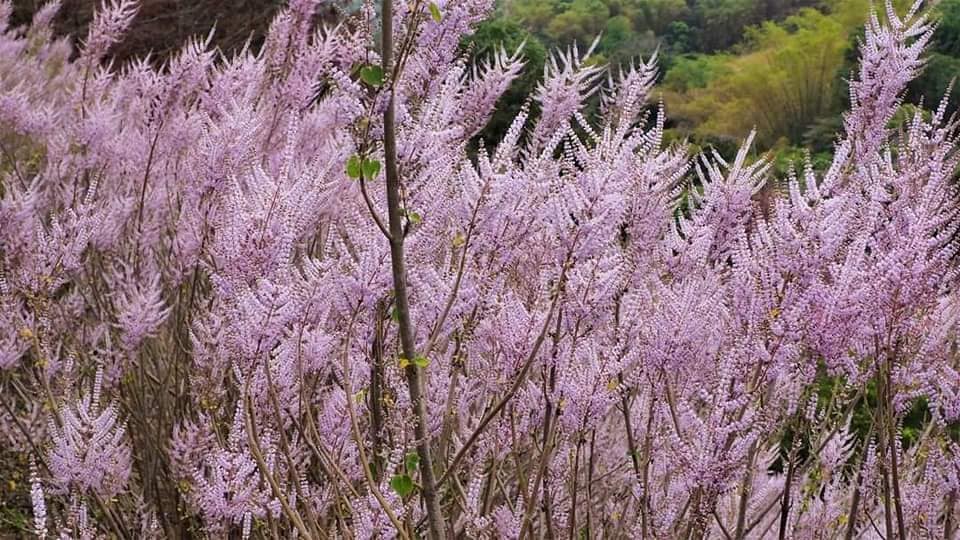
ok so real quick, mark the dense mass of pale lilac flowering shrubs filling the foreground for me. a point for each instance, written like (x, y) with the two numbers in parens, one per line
(273, 295)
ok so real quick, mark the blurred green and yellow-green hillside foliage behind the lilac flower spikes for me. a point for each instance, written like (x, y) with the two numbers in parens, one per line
(726, 66)
